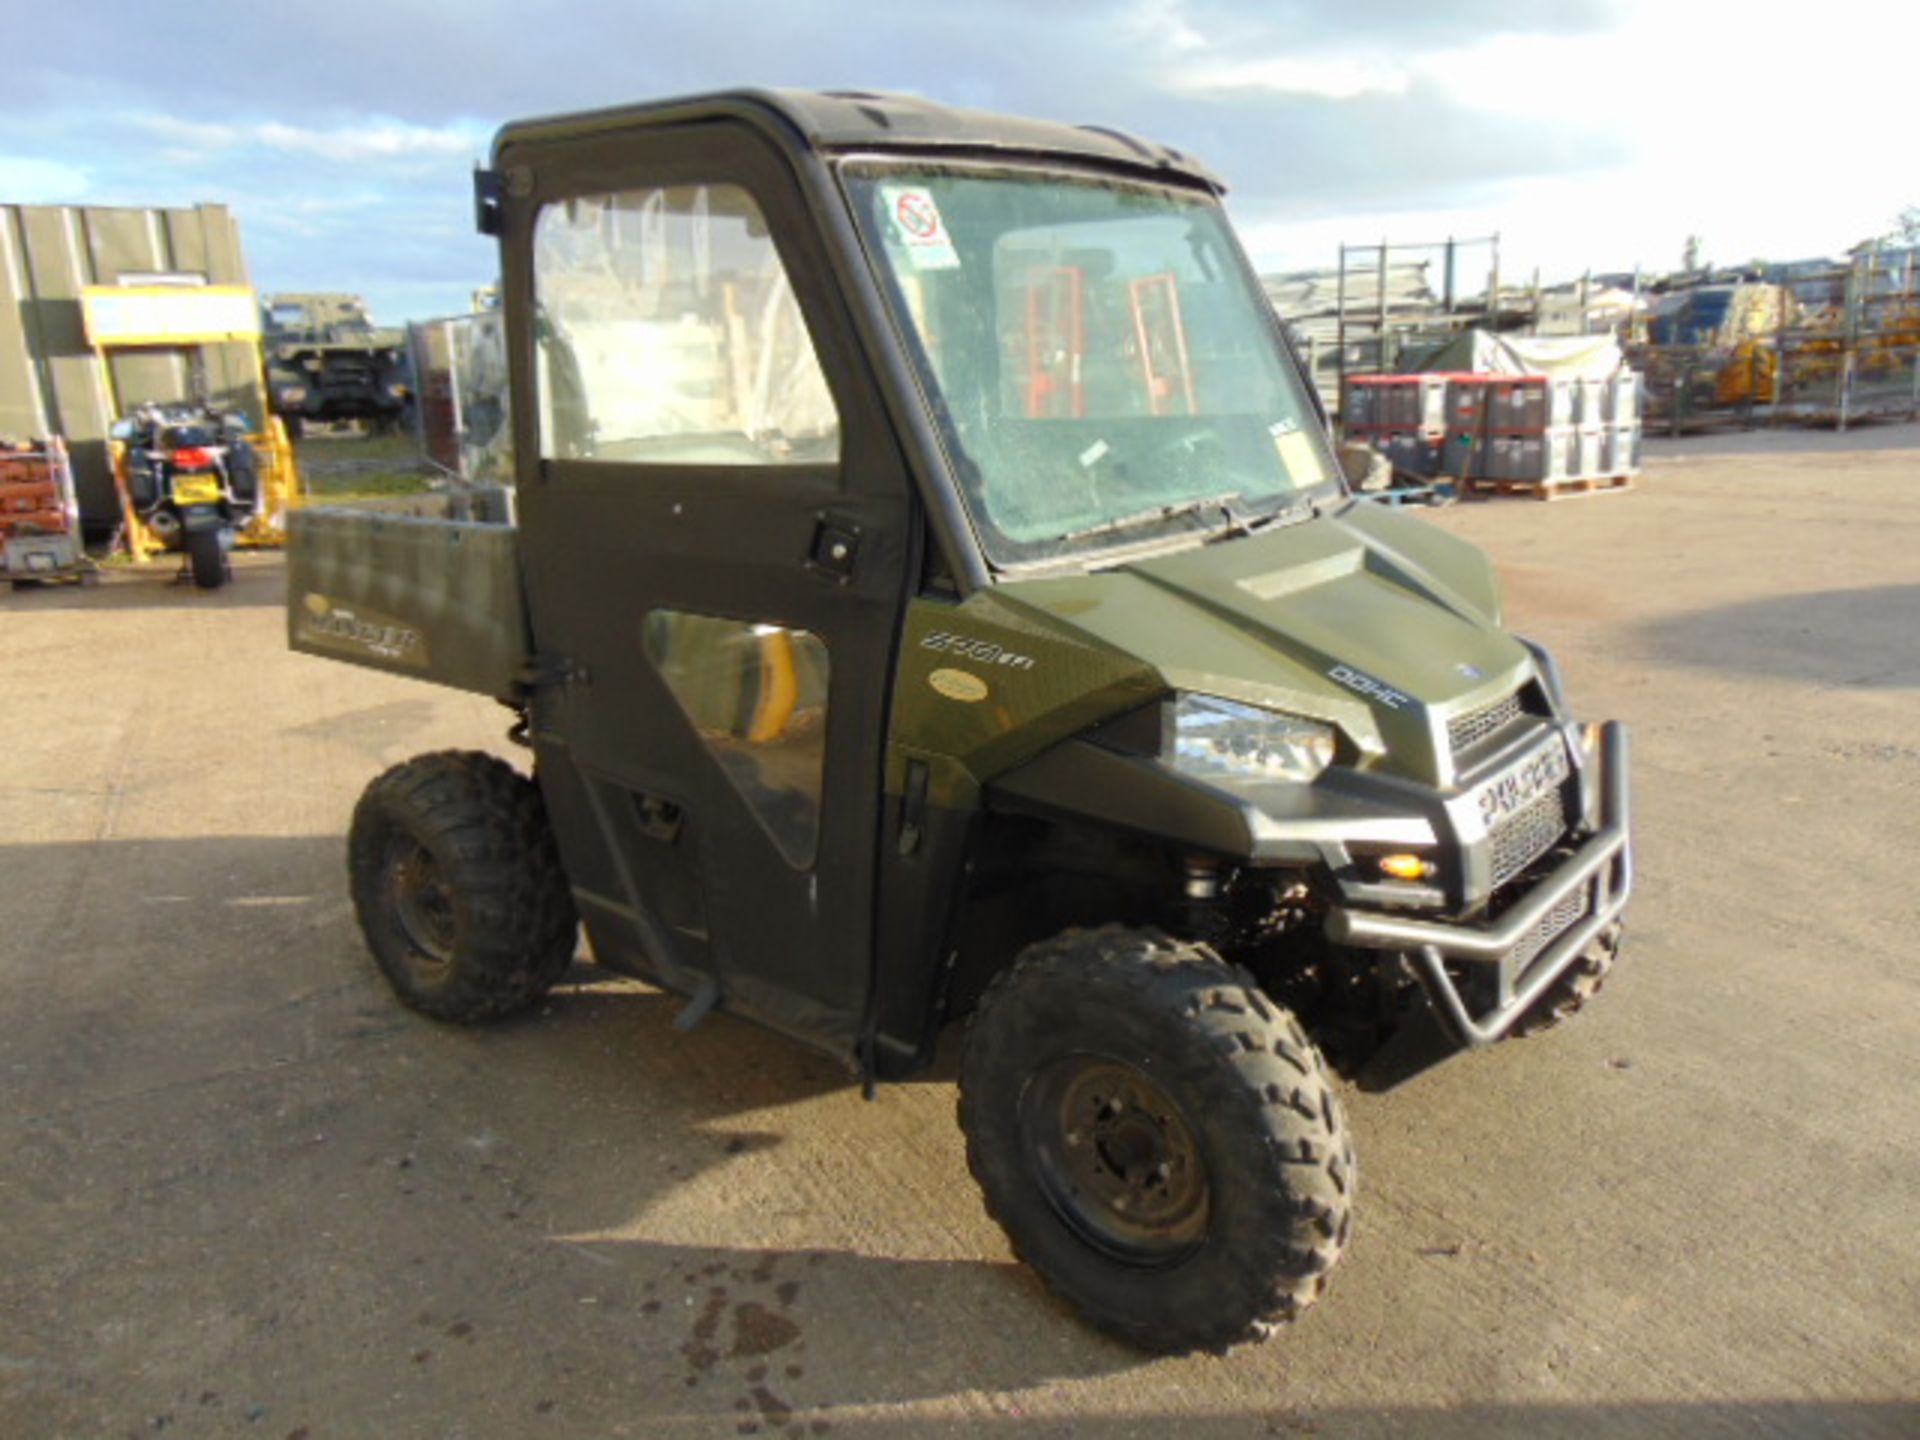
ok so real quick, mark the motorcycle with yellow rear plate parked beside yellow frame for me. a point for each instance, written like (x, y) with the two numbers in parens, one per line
(193, 483)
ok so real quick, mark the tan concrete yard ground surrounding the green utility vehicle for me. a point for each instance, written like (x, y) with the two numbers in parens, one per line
(243, 1193)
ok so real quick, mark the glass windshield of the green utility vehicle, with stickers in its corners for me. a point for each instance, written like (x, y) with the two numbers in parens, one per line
(1105, 370)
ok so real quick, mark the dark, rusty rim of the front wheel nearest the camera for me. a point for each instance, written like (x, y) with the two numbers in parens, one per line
(1116, 1159)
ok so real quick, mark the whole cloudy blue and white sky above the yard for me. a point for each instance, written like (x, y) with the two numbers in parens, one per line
(1591, 133)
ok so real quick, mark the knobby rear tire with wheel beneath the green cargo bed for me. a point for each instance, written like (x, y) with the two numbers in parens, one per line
(458, 886)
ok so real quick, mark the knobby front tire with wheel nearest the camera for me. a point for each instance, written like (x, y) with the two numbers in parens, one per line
(1157, 1138)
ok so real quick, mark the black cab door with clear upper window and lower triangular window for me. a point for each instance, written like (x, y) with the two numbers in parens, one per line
(715, 523)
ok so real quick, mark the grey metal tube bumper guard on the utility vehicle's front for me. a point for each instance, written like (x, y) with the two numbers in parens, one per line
(1595, 880)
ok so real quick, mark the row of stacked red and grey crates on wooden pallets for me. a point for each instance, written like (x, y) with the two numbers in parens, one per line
(1504, 433)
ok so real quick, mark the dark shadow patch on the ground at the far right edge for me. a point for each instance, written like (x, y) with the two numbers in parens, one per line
(1825, 638)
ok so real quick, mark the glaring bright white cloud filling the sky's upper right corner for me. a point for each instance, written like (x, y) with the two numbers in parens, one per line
(1737, 133)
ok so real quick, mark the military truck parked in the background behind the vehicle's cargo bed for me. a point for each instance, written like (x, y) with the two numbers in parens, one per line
(327, 362)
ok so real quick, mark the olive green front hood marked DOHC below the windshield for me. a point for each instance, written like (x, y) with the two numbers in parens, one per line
(1366, 619)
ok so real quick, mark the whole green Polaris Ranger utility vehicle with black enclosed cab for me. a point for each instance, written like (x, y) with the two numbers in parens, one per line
(932, 596)
